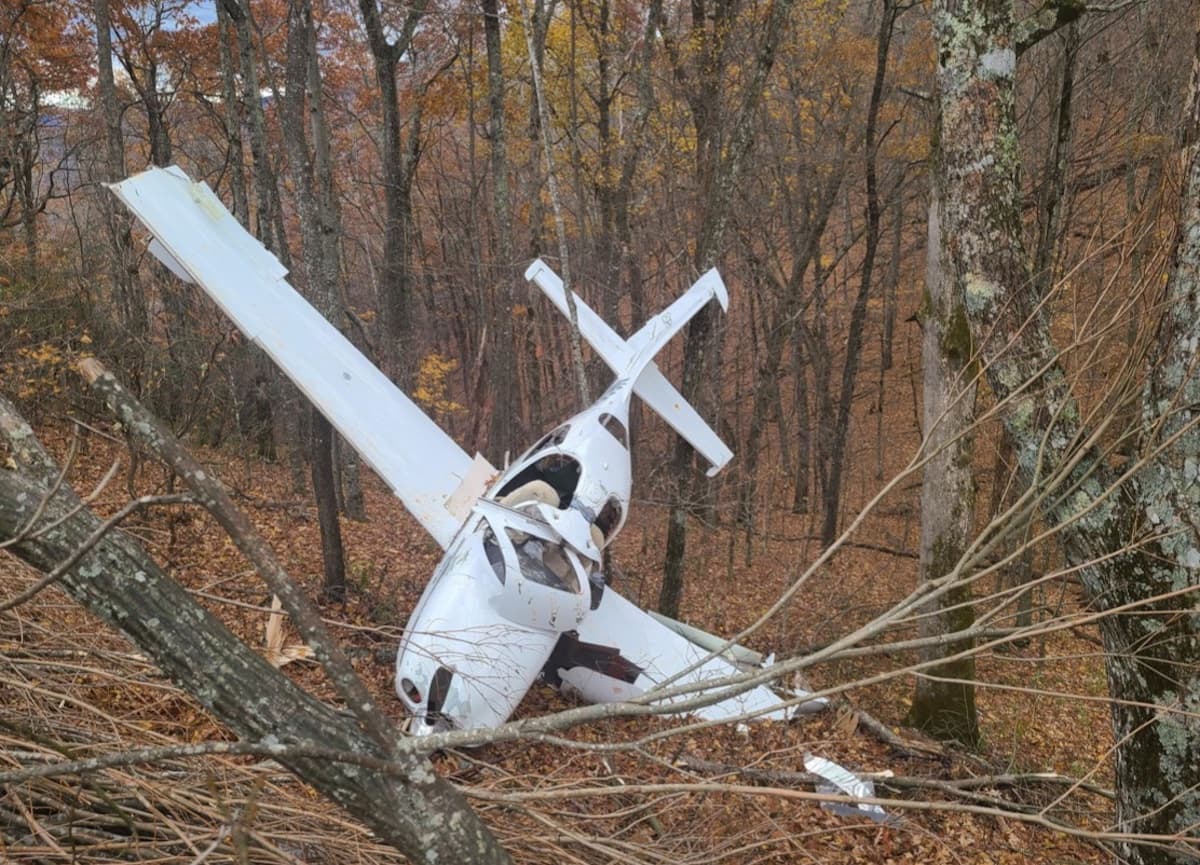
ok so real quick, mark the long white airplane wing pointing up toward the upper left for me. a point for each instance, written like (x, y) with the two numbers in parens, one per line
(197, 238)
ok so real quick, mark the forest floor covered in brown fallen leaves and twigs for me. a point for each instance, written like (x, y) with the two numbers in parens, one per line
(67, 678)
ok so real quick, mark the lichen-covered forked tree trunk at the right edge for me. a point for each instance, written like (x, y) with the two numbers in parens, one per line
(1154, 652)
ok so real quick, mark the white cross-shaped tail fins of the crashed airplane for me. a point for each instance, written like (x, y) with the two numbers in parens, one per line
(635, 358)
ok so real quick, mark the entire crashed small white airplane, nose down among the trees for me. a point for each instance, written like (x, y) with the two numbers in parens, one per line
(519, 593)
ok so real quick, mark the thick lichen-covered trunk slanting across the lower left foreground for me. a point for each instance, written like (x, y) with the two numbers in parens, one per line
(119, 582)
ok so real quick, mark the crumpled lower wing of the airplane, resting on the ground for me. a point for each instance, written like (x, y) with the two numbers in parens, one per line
(649, 654)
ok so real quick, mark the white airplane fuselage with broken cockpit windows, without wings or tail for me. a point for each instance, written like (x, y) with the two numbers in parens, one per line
(523, 572)
